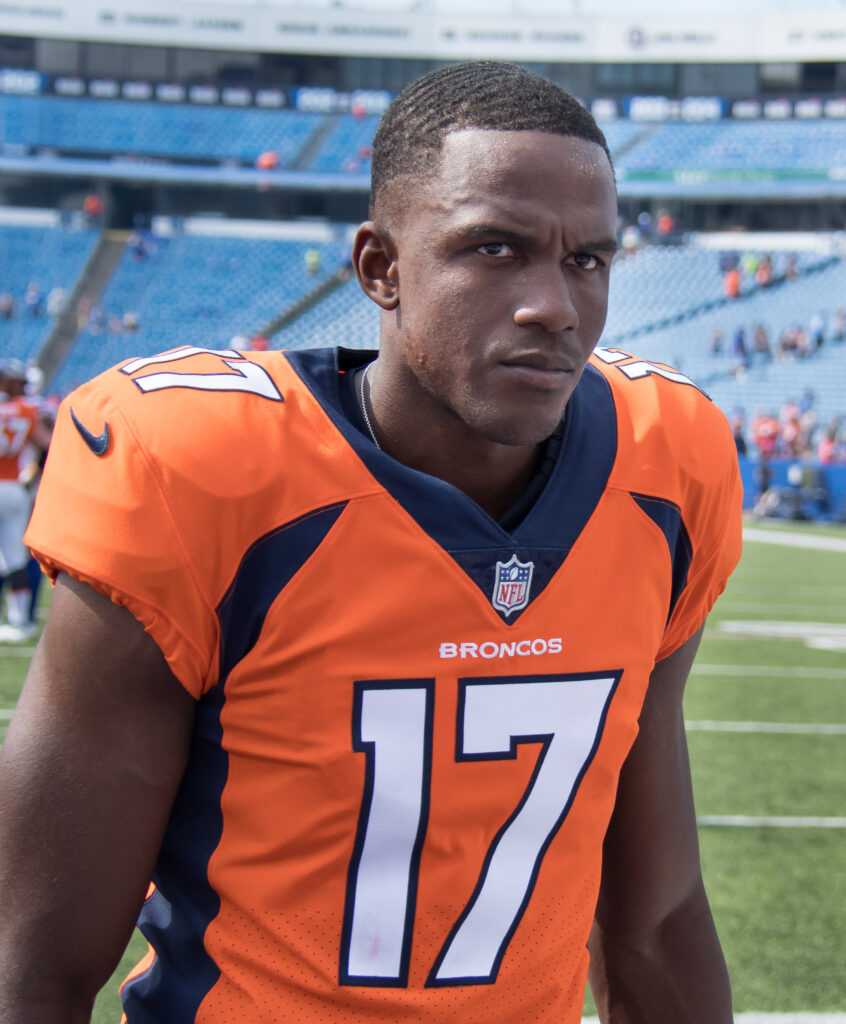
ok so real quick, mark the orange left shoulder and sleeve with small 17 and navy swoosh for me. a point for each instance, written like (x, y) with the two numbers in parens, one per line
(164, 473)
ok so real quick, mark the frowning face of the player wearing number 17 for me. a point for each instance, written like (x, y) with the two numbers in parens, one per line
(502, 260)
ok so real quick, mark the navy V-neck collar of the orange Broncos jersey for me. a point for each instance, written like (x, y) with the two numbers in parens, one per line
(474, 540)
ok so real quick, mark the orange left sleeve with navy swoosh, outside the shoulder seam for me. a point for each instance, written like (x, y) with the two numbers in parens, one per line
(105, 519)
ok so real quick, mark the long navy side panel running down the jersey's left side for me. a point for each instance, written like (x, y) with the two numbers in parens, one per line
(176, 918)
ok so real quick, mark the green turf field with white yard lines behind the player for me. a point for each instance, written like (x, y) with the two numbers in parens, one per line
(767, 713)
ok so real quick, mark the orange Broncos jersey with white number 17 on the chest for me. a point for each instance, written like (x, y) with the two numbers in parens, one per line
(411, 721)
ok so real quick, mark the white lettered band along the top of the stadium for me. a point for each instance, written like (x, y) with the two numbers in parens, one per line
(448, 30)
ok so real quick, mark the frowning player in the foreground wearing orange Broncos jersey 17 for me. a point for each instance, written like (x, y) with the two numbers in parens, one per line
(388, 708)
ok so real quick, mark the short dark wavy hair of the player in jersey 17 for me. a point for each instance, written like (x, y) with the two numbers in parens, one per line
(487, 95)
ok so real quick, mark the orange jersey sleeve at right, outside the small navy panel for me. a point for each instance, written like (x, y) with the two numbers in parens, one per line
(713, 516)
